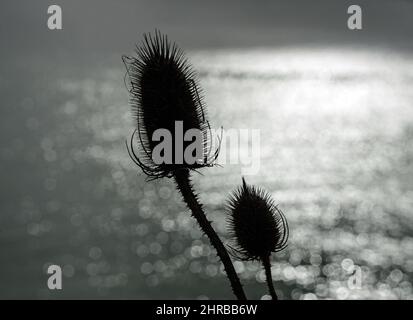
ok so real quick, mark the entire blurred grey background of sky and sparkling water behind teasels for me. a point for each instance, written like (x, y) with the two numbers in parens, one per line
(334, 107)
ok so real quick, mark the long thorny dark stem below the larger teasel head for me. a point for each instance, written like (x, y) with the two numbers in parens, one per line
(191, 199)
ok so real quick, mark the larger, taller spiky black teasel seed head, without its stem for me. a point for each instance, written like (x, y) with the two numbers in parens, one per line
(164, 90)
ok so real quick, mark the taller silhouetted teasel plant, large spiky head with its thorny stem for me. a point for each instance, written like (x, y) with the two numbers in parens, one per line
(164, 90)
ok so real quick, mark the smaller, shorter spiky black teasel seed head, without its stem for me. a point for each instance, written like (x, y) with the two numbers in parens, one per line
(256, 225)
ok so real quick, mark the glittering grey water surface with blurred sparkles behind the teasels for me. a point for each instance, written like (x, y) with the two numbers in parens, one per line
(336, 154)
